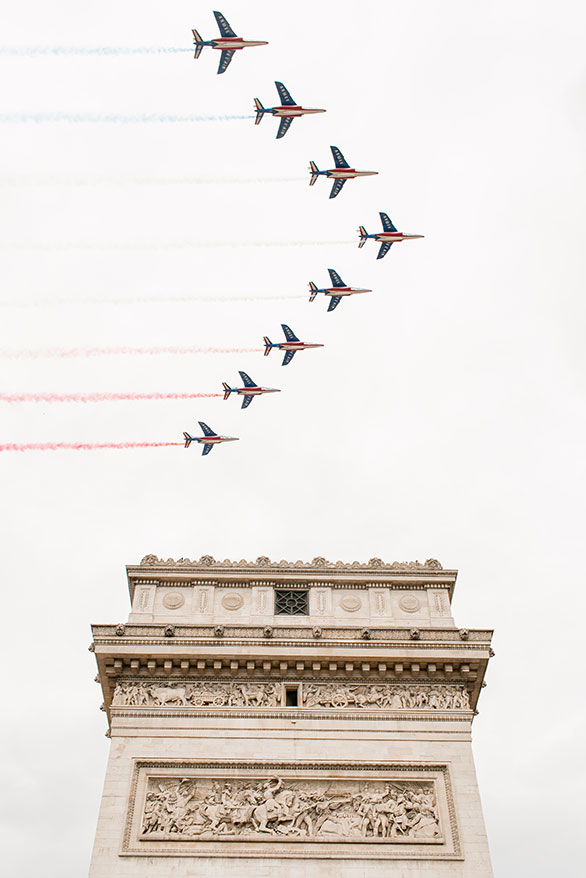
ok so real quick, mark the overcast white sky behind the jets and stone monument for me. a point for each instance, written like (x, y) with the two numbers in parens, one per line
(443, 418)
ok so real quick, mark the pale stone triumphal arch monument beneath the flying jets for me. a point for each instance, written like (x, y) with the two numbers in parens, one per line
(290, 718)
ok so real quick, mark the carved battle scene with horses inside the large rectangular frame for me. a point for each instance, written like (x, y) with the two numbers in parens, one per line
(179, 809)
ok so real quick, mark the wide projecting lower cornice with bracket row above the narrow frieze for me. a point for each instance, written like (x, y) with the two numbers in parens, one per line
(198, 652)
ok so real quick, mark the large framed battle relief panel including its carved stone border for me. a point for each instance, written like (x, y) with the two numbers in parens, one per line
(178, 807)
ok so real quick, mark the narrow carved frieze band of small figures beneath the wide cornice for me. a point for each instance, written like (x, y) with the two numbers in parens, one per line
(252, 695)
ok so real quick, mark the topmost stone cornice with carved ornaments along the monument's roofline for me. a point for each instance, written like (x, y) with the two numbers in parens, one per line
(318, 572)
